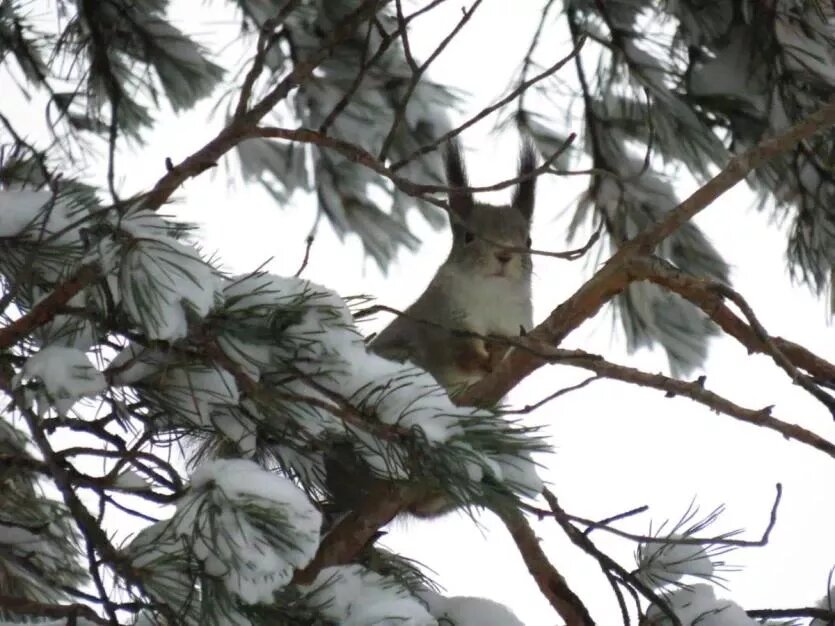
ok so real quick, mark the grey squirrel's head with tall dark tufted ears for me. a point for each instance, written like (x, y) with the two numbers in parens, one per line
(487, 239)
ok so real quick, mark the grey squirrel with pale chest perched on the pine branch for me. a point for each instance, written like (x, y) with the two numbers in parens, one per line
(482, 289)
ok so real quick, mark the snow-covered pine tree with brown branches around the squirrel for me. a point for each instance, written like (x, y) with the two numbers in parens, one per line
(142, 382)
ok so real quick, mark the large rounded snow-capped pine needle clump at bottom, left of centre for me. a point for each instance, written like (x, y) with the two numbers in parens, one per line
(243, 527)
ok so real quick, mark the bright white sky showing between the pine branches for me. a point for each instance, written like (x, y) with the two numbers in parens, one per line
(615, 447)
